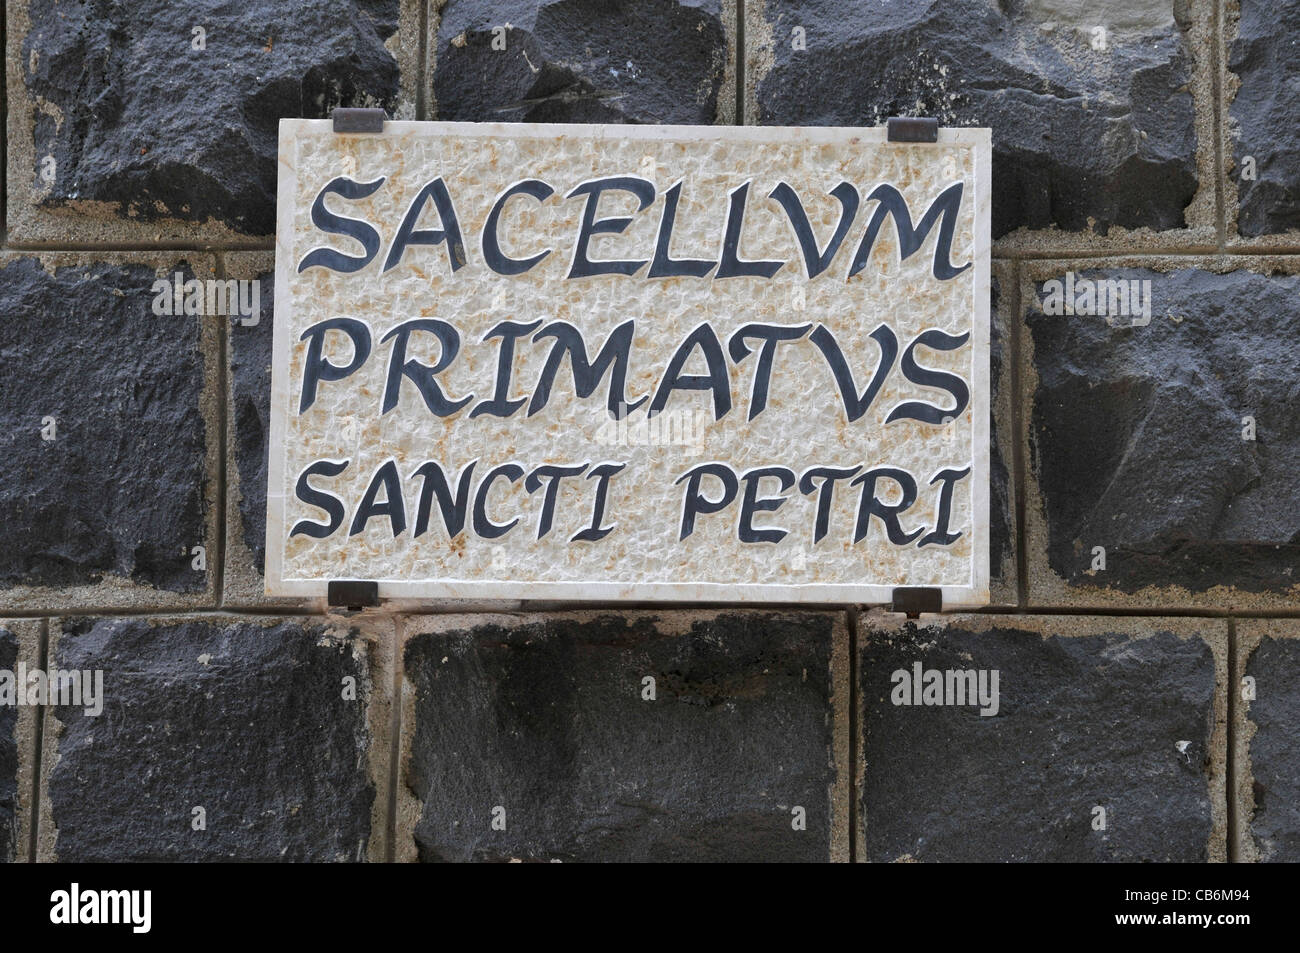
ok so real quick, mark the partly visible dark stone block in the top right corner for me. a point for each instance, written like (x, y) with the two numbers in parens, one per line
(1264, 111)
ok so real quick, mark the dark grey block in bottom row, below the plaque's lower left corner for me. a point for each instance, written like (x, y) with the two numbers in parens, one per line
(241, 718)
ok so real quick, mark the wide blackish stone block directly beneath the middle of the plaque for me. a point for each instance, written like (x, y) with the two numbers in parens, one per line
(544, 717)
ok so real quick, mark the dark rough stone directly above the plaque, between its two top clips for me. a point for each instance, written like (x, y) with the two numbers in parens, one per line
(580, 62)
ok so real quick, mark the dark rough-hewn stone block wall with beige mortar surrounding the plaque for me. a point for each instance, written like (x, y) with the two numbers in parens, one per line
(1146, 623)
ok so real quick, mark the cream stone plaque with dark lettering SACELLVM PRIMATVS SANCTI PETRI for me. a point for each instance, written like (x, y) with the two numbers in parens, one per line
(631, 363)
